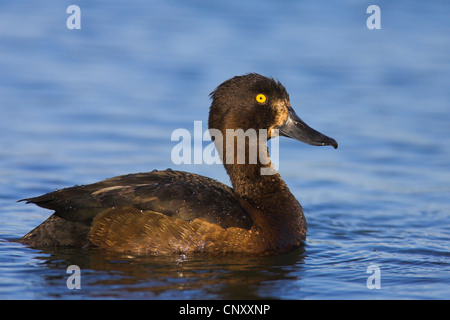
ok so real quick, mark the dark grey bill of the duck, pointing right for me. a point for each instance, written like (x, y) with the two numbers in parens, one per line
(295, 128)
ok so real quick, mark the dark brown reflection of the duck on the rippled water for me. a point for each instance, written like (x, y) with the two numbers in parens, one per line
(109, 275)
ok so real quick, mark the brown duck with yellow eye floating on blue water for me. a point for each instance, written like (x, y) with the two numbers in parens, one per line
(177, 212)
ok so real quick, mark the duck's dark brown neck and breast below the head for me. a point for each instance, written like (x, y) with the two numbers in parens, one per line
(266, 197)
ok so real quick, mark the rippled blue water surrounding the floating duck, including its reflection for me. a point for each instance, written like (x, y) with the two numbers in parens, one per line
(79, 106)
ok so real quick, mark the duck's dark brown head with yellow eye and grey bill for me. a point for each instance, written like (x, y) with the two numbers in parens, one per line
(256, 102)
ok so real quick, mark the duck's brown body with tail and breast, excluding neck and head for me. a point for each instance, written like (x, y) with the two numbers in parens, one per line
(168, 211)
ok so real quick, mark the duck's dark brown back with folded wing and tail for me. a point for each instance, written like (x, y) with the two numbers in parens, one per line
(175, 194)
